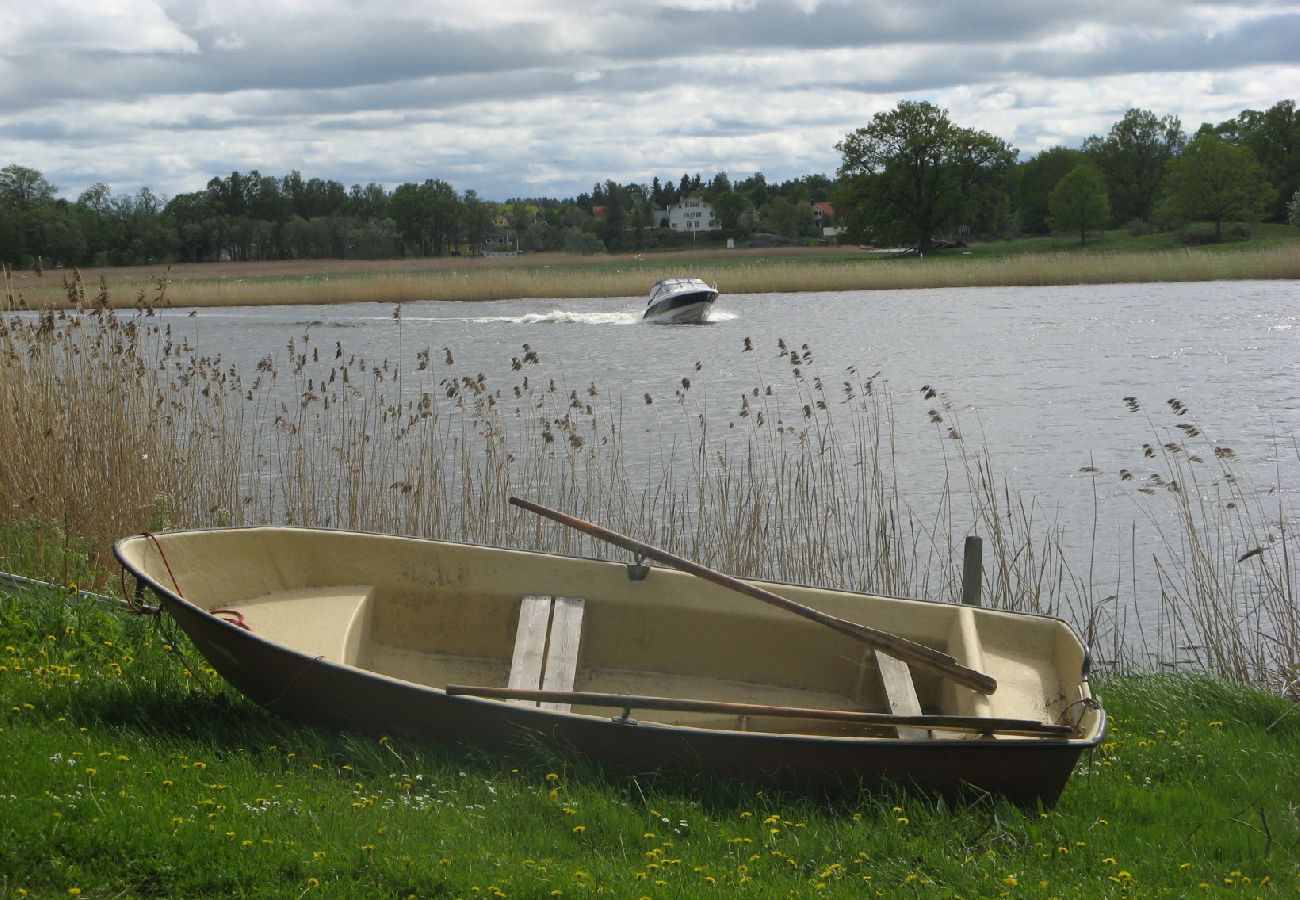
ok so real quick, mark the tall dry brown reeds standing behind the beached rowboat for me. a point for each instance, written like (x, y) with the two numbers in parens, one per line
(115, 426)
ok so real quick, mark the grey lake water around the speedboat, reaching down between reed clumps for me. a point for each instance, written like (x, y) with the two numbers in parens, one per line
(1039, 377)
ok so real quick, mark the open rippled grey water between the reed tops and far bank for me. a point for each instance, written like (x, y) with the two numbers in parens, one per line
(1041, 371)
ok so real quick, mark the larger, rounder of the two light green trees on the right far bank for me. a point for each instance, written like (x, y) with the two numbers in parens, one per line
(1215, 180)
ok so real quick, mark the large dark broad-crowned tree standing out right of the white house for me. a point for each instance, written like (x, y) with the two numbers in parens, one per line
(913, 172)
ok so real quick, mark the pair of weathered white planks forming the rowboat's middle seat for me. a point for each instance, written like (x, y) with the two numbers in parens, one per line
(547, 646)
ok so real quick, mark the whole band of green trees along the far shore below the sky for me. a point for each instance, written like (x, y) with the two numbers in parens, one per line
(911, 176)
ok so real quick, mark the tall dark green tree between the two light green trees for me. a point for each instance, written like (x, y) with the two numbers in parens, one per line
(1133, 159)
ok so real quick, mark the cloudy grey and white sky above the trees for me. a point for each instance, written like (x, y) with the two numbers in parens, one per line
(544, 98)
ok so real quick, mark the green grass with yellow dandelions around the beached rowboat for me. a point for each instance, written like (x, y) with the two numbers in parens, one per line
(133, 771)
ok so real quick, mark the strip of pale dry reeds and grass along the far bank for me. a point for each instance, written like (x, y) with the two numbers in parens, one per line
(1115, 257)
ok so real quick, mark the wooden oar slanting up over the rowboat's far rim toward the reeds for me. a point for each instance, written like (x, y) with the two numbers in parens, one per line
(898, 647)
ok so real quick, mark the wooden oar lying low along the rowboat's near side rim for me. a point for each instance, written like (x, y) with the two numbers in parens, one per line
(965, 724)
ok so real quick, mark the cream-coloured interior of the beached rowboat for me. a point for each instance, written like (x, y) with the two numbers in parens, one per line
(440, 615)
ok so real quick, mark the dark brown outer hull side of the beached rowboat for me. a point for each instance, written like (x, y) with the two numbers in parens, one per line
(313, 689)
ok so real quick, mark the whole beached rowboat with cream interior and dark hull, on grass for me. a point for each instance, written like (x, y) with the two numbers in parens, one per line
(643, 668)
